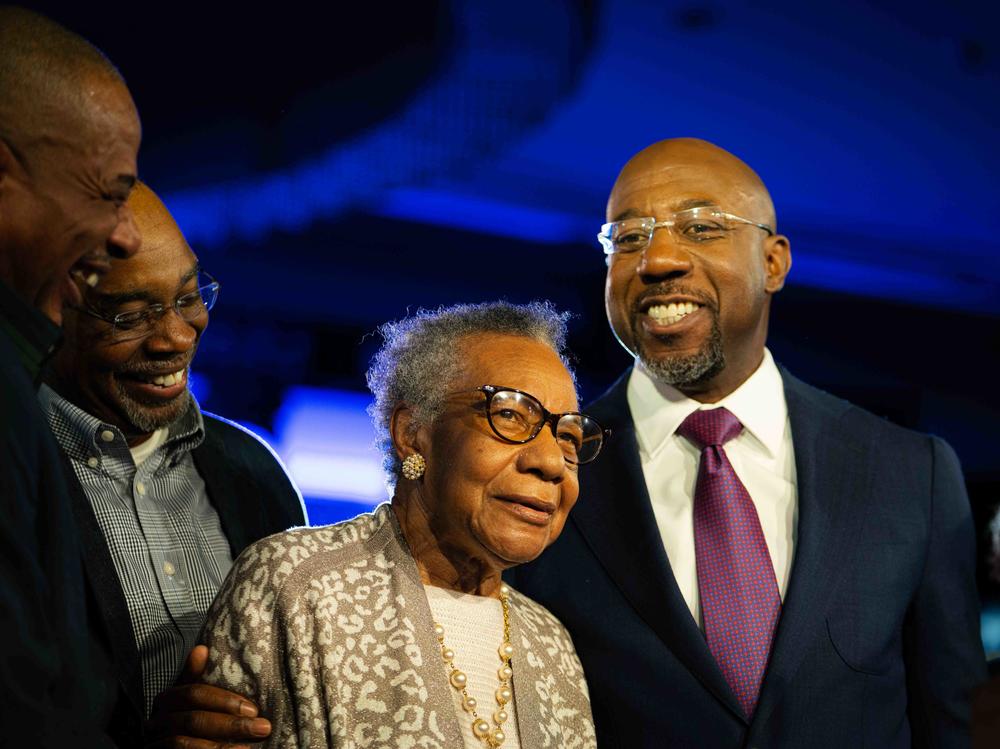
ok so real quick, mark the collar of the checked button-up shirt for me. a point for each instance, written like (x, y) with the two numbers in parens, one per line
(79, 433)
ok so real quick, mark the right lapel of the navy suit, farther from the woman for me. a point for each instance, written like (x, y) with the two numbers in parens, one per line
(833, 475)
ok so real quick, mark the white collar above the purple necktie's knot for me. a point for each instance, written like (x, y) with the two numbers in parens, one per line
(759, 403)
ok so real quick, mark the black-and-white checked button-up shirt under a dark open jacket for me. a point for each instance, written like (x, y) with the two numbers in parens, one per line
(164, 536)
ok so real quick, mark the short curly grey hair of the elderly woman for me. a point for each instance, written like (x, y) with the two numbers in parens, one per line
(421, 355)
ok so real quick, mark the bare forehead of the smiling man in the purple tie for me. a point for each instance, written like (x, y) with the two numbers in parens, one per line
(660, 184)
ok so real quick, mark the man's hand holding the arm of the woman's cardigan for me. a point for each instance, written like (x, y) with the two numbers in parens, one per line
(192, 715)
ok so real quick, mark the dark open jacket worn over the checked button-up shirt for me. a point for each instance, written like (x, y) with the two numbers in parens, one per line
(254, 498)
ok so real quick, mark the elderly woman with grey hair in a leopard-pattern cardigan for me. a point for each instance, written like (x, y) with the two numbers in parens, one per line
(394, 629)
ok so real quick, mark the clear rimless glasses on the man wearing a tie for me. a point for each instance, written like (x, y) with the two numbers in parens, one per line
(694, 226)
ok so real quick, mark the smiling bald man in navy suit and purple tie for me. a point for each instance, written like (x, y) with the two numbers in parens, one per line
(805, 579)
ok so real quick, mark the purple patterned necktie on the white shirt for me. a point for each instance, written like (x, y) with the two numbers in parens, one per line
(739, 593)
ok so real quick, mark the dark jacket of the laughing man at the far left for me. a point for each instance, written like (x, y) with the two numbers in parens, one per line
(55, 683)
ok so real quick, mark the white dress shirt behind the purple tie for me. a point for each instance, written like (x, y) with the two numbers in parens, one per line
(762, 456)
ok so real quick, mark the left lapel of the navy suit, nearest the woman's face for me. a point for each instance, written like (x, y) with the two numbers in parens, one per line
(614, 494)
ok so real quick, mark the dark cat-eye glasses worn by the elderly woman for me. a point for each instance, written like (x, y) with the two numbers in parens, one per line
(518, 417)
